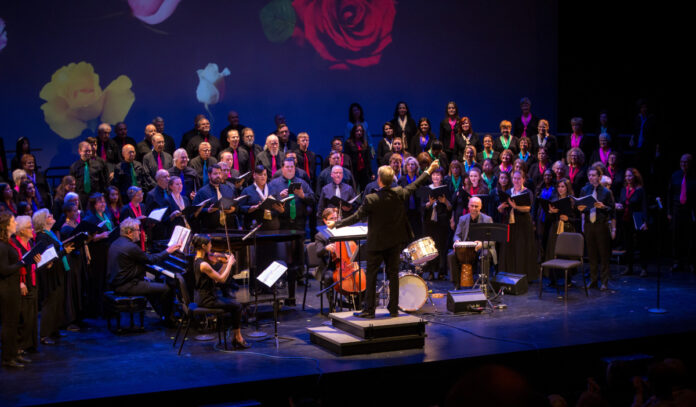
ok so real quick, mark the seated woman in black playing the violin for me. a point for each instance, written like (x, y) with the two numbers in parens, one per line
(206, 277)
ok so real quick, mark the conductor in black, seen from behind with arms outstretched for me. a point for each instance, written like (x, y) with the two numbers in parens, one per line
(387, 233)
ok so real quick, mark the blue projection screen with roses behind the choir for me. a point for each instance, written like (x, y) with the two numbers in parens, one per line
(65, 66)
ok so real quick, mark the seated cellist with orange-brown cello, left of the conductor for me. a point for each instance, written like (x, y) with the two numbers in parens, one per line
(335, 260)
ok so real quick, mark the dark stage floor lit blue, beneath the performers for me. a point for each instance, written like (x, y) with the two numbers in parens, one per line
(94, 363)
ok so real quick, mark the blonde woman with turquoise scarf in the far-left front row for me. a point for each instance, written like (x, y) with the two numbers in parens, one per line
(52, 279)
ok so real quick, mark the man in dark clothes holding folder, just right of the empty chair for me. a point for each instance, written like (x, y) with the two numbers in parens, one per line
(596, 221)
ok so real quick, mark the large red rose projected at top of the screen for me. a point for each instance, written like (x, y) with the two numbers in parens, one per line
(346, 32)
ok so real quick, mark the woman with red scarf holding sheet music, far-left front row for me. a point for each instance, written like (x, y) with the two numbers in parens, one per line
(28, 332)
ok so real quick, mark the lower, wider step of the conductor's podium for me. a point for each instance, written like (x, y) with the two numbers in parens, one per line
(344, 344)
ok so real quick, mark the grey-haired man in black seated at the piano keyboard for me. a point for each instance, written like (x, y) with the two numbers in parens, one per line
(126, 270)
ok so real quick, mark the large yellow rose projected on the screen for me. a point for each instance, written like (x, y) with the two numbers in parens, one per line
(74, 97)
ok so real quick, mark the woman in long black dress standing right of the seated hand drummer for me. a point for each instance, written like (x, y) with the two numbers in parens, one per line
(519, 253)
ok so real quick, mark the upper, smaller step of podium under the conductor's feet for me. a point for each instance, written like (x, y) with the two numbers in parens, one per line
(382, 326)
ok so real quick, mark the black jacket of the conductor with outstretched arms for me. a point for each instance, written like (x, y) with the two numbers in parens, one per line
(387, 225)
